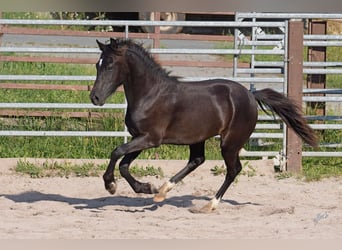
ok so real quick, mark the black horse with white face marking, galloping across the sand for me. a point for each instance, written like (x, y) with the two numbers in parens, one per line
(163, 110)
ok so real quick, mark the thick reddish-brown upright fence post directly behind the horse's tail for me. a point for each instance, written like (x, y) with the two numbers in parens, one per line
(295, 90)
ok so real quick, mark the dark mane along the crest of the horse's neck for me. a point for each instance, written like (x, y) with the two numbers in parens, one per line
(145, 56)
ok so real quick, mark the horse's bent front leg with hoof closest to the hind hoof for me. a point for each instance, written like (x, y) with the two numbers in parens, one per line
(138, 187)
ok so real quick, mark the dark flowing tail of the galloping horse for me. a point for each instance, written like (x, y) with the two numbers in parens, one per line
(288, 111)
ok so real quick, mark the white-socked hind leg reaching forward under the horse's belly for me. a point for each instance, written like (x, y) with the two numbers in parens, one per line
(196, 159)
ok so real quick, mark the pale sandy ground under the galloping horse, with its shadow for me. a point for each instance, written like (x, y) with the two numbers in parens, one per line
(258, 207)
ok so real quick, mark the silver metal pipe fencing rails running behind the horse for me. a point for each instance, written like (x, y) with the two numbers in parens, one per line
(271, 73)
